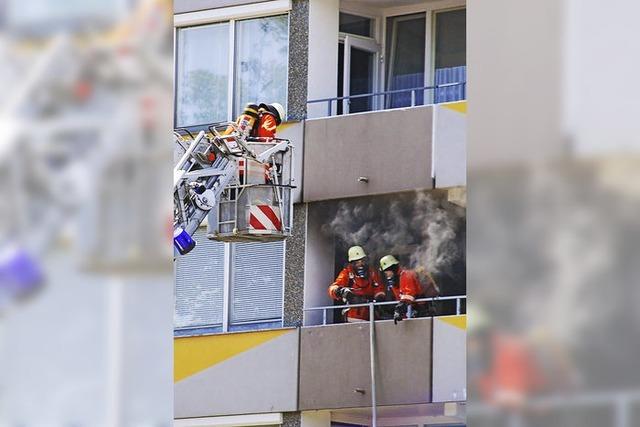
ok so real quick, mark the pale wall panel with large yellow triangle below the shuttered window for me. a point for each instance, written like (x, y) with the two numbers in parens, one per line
(236, 373)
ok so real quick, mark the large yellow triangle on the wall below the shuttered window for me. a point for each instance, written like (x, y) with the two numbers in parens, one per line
(194, 354)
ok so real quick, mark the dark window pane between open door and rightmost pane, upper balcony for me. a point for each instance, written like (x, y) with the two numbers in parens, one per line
(406, 53)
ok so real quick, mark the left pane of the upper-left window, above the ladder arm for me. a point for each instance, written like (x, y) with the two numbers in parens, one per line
(203, 75)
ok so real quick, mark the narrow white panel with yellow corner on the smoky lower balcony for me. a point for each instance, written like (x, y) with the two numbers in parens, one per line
(450, 359)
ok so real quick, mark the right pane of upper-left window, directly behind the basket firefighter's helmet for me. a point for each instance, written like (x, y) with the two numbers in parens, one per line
(261, 61)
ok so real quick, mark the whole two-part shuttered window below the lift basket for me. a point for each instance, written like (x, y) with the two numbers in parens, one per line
(228, 287)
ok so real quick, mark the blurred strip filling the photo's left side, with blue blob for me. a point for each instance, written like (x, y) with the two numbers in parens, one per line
(84, 161)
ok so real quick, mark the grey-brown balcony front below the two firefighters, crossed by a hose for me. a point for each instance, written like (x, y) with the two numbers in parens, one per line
(334, 362)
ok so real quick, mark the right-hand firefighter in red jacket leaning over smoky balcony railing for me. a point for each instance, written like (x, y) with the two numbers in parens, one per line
(403, 284)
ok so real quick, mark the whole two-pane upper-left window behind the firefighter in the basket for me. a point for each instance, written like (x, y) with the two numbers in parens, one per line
(215, 80)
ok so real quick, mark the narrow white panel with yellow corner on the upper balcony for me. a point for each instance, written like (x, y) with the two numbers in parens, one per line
(450, 144)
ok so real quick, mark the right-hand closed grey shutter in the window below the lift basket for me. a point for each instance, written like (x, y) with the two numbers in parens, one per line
(256, 290)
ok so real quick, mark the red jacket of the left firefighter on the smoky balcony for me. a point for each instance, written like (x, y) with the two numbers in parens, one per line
(368, 287)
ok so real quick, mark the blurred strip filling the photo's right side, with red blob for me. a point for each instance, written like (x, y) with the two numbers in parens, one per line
(554, 192)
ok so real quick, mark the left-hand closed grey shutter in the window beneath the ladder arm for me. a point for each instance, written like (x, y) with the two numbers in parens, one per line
(199, 287)
